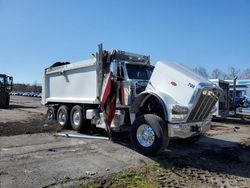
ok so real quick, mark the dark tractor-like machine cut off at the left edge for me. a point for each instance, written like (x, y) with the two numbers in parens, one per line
(6, 83)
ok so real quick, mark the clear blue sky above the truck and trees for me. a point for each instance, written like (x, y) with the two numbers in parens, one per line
(36, 33)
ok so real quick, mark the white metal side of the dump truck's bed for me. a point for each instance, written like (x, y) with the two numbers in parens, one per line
(71, 83)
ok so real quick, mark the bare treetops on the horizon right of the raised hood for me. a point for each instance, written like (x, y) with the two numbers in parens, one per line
(229, 75)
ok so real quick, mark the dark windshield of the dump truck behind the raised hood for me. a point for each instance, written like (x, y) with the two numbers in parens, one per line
(140, 72)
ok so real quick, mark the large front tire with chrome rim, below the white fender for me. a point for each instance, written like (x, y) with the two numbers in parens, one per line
(149, 134)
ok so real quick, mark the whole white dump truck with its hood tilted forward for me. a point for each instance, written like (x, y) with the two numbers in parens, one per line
(157, 103)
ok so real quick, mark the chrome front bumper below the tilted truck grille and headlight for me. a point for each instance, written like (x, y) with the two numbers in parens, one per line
(185, 130)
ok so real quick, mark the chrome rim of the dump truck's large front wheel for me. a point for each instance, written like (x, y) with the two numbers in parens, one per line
(145, 135)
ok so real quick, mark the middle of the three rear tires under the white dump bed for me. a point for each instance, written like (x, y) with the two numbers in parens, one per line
(63, 116)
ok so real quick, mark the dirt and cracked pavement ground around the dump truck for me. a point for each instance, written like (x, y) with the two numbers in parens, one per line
(32, 156)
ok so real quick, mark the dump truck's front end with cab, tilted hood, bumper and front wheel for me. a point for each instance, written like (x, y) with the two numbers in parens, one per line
(169, 94)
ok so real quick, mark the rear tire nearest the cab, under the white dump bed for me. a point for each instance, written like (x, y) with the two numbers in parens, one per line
(76, 118)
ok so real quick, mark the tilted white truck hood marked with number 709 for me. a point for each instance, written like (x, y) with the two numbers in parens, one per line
(176, 81)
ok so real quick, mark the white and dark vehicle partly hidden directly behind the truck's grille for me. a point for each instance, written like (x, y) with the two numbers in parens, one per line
(223, 104)
